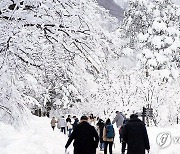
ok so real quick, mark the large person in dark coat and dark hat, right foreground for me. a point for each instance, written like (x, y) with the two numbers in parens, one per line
(135, 135)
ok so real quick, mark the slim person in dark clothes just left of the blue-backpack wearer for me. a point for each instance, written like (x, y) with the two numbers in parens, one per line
(100, 127)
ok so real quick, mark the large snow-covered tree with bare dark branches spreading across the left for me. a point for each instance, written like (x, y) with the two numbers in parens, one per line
(53, 50)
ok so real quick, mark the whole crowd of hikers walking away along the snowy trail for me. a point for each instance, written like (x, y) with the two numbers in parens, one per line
(90, 132)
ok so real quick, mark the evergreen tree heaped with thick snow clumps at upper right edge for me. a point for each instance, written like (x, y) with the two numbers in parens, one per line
(159, 46)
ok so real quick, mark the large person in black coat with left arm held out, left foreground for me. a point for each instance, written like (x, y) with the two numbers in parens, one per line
(85, 138)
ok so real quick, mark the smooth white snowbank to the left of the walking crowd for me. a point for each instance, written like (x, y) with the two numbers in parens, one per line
(37, 138)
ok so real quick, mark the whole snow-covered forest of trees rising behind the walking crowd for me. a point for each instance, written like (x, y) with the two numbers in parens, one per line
(74, 54)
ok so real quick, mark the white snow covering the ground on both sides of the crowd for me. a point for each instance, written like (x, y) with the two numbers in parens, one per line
(39, 138)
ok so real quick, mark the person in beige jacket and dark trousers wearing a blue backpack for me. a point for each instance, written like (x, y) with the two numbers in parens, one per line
(108, 136)
